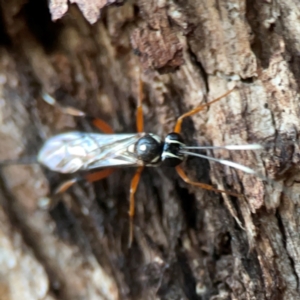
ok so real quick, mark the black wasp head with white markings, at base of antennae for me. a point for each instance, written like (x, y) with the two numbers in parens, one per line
(171, 155)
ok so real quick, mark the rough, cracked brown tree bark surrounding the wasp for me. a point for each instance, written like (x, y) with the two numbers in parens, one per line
(188, 243)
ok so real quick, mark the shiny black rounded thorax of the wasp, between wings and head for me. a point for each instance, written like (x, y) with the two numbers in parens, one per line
(148, 149)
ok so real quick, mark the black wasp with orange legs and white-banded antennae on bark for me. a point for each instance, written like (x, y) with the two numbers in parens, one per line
(79, 151)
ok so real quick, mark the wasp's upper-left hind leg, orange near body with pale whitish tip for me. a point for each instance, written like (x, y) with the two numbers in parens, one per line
(100, 124)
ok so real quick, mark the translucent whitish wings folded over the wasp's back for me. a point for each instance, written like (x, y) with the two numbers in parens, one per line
(78, 151)
